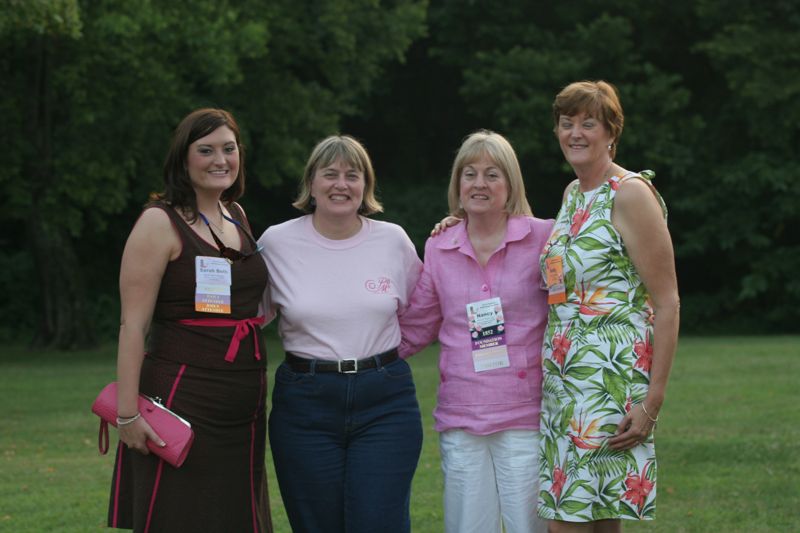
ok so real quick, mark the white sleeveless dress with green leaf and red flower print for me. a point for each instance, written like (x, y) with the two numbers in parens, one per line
(596, 359)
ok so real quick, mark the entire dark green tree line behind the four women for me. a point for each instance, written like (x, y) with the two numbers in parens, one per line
(90, 91)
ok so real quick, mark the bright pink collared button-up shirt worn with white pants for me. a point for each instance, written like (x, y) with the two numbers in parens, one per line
(502, 398)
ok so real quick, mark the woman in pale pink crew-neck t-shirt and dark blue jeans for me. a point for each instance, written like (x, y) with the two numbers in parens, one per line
(345, 429)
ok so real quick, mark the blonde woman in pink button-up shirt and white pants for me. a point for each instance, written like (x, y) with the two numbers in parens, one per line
(489, 394)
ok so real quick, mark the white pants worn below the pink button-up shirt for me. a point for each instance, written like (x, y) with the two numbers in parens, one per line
(491, 482)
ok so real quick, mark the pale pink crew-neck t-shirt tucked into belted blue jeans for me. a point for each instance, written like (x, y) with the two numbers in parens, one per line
(338, 299)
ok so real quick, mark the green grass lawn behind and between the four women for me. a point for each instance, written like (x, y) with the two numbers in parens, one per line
(729, 458)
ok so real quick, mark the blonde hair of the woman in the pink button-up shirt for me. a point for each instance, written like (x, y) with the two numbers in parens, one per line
(499, 150)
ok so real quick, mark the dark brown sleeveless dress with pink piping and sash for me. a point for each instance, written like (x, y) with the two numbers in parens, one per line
(222, 485)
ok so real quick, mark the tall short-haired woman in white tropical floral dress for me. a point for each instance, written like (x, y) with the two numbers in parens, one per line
(612, 326)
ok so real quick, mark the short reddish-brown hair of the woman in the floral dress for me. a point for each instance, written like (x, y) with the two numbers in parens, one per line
(598, 99)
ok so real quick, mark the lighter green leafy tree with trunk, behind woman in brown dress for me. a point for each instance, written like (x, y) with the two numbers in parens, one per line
(92, 90)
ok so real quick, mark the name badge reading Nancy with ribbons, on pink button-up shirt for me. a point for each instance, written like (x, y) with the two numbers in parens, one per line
(488, 333)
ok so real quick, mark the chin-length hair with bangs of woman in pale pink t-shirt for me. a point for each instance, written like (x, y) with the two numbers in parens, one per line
(330, 150)
